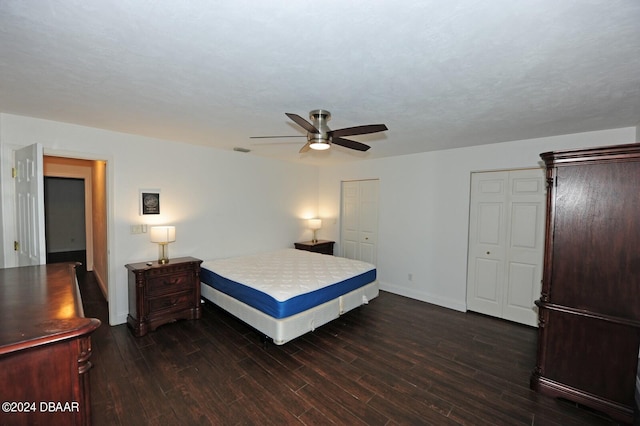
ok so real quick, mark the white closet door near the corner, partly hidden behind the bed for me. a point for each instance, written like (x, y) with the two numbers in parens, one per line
(360, 220)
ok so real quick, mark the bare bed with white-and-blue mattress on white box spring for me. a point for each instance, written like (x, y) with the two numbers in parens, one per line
(286, 293)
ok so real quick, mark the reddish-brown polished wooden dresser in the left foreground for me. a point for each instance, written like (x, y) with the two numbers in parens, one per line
(45, 347)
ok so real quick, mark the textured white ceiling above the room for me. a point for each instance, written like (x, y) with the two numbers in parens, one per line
(439, 74)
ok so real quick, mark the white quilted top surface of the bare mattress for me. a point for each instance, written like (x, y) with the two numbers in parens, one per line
(286, 273)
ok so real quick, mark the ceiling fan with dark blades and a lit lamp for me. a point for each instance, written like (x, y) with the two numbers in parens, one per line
(320, 136)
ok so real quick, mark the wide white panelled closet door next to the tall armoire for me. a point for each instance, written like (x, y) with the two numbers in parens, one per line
(506, 243)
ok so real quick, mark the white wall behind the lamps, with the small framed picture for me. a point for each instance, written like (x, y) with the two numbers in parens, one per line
(222, 203)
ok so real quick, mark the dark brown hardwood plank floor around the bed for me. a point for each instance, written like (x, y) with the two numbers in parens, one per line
(395, 361)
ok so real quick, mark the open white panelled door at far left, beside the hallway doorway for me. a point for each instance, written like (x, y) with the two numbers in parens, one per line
(29, 181)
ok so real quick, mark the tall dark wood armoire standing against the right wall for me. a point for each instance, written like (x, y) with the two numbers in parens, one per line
(589, 308)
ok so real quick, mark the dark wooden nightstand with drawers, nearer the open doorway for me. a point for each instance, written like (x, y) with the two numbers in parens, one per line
(159, 294)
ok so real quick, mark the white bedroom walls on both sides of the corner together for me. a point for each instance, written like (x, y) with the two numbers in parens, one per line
(225, 203)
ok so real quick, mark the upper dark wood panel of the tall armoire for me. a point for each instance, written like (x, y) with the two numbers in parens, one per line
(598, 255)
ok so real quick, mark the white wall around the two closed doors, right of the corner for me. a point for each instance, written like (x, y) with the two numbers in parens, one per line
(424, 208)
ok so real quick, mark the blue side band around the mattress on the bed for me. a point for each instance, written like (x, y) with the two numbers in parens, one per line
(291, 306)
